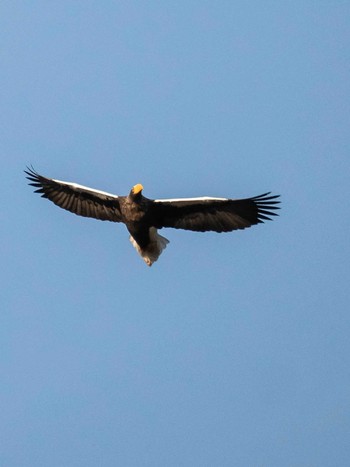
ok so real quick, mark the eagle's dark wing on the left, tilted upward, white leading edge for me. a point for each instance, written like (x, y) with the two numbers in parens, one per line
(75, 198)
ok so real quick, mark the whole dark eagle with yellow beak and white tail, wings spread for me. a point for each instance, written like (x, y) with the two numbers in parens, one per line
(143, 216)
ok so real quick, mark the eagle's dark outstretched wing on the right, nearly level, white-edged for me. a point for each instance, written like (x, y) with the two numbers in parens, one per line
(216, 214)
